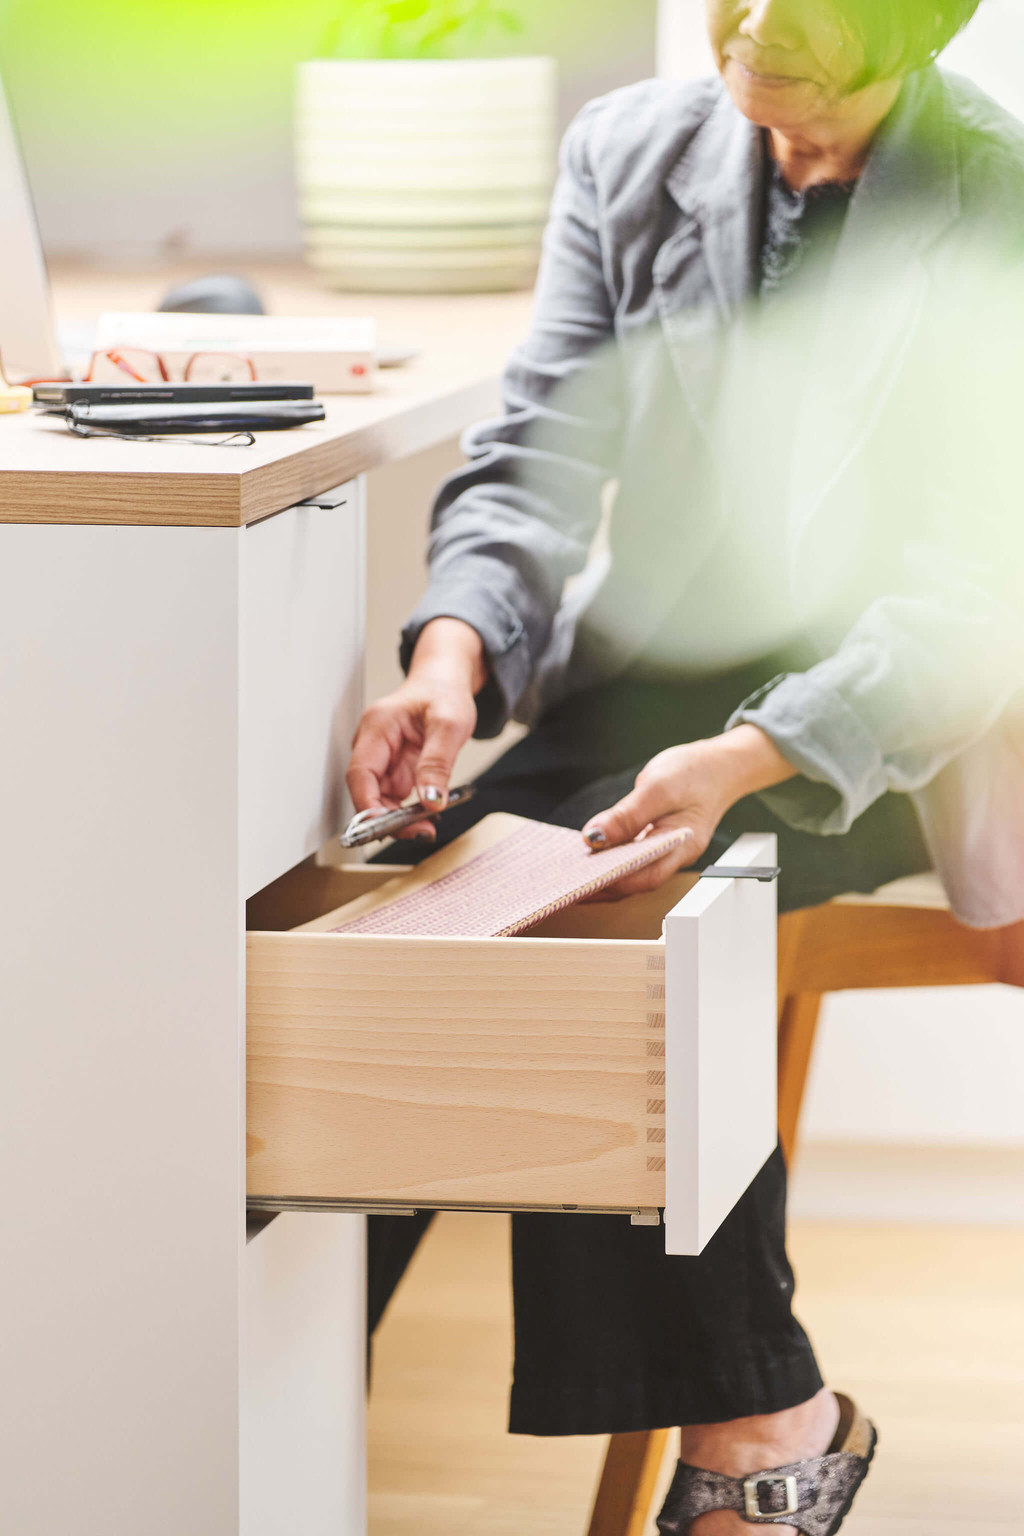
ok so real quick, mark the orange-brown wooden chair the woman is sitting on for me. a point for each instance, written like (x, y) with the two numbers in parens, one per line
(902, 936)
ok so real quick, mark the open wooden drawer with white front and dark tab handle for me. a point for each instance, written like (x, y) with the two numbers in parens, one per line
(619, 1058)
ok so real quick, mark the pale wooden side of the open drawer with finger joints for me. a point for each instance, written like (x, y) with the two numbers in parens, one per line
(481, 1071)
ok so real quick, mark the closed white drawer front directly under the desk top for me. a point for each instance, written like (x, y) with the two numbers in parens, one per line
(302, 686)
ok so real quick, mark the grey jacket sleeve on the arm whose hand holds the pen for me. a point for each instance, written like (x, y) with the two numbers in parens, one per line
(520, 518)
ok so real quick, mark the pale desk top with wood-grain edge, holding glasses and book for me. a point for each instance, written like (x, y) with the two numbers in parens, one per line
(47, 475)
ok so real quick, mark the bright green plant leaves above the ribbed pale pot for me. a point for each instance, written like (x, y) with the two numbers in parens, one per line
(414, 28)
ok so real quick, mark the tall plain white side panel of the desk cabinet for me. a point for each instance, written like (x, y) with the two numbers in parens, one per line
(121, 1053)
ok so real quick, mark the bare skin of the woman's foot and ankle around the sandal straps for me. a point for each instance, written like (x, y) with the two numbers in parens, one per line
(745, 1446)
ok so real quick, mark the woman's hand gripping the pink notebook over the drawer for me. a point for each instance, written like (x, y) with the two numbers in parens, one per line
(689, 789)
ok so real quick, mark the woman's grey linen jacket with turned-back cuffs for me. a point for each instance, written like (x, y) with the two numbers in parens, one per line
(899, 521)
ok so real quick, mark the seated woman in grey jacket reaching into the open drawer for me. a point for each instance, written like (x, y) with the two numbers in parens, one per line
(742, 313)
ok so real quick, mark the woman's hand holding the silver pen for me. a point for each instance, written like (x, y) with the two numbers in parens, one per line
(412, 738)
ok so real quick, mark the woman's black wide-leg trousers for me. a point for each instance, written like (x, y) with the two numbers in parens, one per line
(612, 1334)
